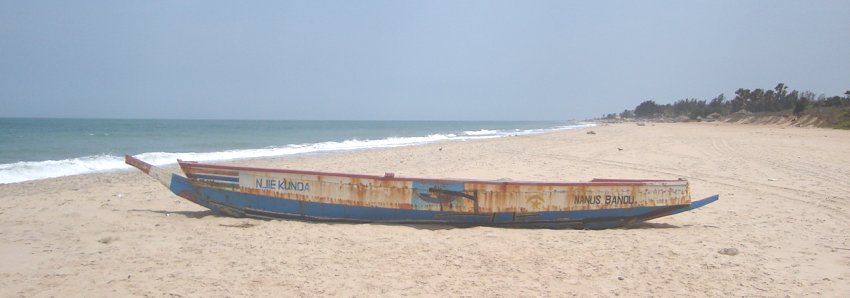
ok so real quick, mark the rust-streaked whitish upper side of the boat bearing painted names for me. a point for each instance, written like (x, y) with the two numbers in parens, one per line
(389, 192)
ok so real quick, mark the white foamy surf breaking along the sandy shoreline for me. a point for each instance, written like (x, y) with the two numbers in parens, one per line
(34, 170)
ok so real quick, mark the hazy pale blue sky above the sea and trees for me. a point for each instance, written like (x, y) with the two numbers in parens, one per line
(406, 60)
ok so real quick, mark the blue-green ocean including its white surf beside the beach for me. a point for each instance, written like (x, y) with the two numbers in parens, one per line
(32, 149)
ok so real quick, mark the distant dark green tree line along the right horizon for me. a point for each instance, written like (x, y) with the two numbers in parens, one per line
(778, 100)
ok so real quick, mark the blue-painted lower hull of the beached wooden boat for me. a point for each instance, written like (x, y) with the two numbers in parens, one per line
(238, 204)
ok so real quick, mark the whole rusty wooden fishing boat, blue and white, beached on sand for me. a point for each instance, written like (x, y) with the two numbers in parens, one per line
(320, 196)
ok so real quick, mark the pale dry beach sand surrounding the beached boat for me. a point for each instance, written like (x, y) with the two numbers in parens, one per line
(783, 191)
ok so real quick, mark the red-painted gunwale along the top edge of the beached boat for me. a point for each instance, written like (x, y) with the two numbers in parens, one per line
(389, 176)
